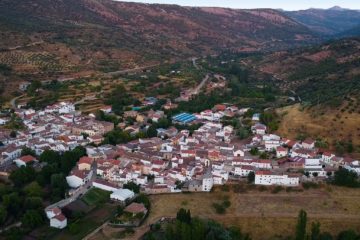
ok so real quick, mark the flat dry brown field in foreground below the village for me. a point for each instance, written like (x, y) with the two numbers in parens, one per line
(262, 214)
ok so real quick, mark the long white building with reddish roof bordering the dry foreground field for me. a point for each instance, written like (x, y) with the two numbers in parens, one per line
(269, 178)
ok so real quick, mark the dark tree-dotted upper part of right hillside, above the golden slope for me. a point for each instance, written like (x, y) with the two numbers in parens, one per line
(327, 74)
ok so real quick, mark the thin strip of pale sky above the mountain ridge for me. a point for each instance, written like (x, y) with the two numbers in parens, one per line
(284, 4)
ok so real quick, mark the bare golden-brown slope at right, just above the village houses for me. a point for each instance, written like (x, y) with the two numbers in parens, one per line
(330, 125)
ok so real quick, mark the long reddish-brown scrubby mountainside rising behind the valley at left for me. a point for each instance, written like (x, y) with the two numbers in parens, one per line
(48, 39)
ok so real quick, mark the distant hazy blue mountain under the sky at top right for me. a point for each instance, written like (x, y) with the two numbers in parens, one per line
(327, 21)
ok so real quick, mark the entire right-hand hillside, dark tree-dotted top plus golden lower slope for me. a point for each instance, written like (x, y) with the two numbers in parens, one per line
(326, 79)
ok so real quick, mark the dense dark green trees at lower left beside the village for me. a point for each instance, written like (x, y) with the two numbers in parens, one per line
(24, 201)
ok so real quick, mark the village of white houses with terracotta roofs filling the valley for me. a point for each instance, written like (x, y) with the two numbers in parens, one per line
(172, 162)
